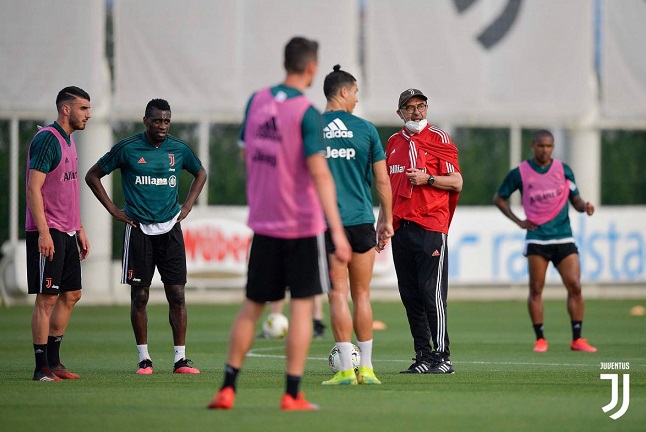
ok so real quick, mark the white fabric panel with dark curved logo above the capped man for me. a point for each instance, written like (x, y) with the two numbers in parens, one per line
(536, 65)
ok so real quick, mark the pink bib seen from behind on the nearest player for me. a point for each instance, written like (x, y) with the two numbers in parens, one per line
(282, 198)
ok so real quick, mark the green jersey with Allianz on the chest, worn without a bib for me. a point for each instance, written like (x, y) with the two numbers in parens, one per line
(150, 175)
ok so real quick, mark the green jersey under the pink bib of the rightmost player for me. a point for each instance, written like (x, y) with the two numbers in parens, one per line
(557, 228)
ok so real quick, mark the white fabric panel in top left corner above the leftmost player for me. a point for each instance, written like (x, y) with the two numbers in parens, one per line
(46, 46)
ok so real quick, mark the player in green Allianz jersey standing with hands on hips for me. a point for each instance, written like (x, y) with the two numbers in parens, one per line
(150, 164)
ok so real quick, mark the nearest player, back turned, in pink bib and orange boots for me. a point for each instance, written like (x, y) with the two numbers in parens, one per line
(289, 189)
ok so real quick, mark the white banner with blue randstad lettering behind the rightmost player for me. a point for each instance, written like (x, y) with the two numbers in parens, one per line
(487, 248)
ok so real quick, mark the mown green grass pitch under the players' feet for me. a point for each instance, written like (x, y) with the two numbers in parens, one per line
(499, 384)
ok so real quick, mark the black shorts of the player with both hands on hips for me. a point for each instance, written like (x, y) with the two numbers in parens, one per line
(142, 253)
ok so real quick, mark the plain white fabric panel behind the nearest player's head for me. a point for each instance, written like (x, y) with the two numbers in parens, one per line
(206, 57)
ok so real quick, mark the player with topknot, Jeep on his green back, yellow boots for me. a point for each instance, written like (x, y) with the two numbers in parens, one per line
(355, 155)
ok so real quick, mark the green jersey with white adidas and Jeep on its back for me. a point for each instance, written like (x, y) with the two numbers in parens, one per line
(352, 146)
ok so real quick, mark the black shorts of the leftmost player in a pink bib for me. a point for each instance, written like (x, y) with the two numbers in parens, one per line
(62, 274)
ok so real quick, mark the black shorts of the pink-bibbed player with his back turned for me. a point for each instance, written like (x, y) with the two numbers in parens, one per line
(277, 264)
